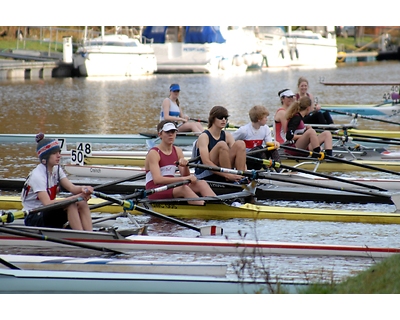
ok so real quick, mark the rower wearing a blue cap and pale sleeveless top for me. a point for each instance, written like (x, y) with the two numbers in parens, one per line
(171, 111)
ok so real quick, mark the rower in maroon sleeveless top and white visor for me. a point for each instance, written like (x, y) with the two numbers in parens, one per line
(161, 167)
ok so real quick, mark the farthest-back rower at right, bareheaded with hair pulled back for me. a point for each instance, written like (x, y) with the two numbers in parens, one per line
(316, 116)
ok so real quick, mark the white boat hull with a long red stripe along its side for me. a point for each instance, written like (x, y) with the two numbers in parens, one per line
(216, 245)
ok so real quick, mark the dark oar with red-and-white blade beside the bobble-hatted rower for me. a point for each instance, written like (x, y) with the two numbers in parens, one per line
(129, 205)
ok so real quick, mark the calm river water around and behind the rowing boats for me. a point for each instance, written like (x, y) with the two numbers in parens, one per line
(132, 105)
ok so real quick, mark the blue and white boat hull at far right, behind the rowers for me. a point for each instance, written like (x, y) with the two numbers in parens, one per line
(366, 110)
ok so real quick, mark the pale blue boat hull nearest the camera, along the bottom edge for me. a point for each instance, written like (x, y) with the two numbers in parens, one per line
(73, 282)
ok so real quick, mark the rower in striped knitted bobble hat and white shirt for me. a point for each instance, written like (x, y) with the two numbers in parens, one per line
(42, 186)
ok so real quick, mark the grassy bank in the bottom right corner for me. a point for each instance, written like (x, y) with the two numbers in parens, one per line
(382, 278)
